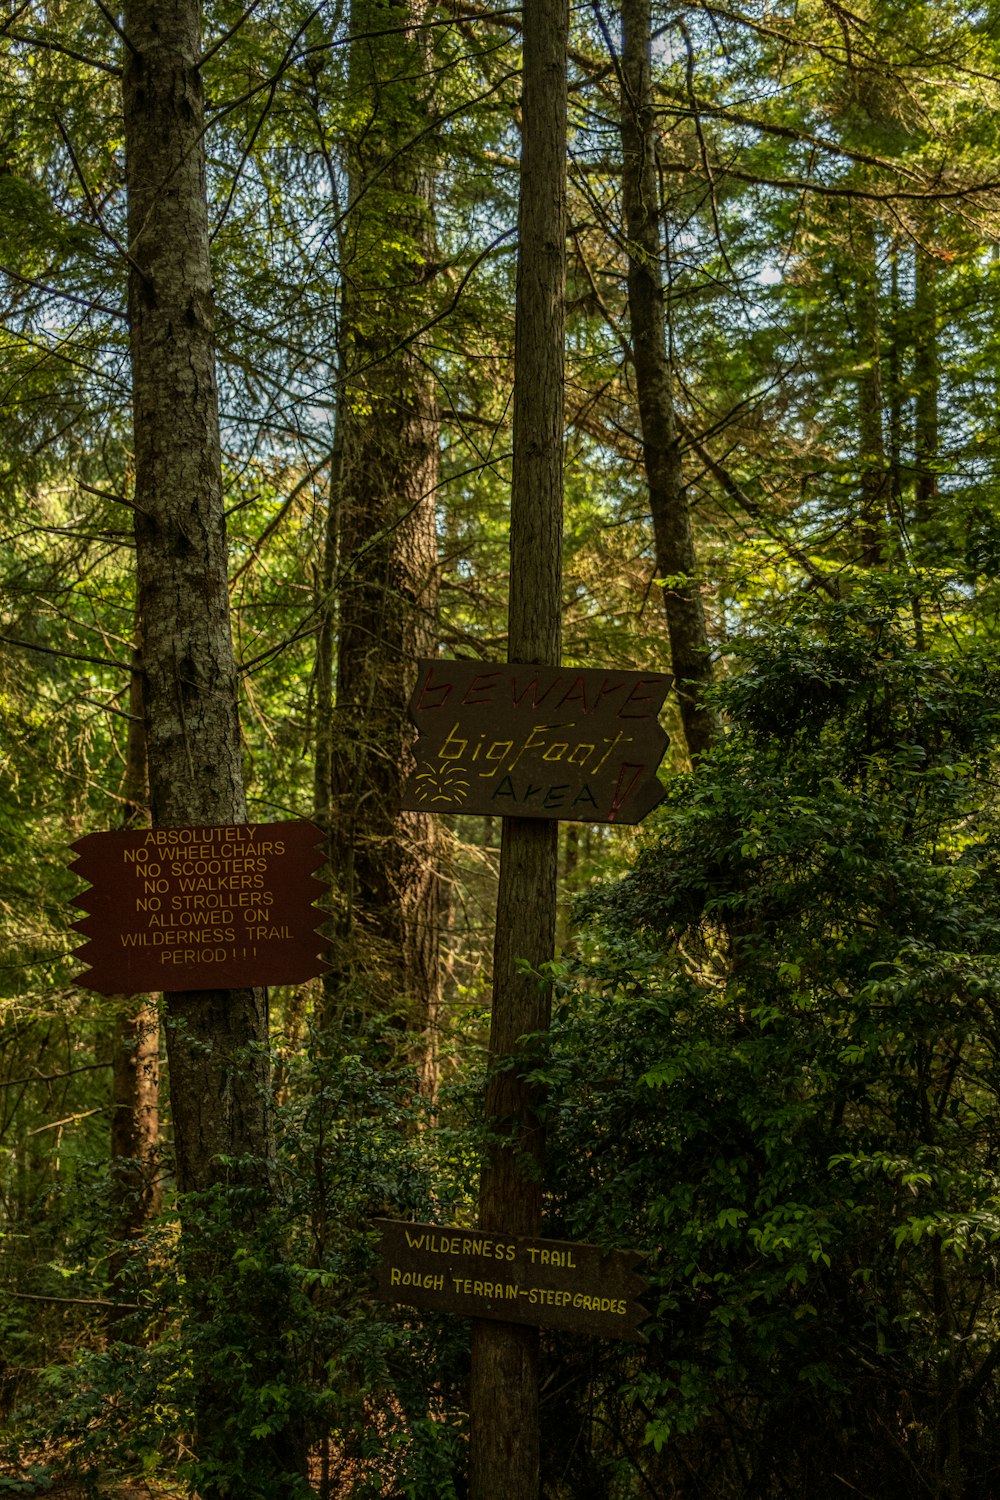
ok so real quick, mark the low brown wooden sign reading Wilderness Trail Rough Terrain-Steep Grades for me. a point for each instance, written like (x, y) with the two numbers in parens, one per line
(512, 1279)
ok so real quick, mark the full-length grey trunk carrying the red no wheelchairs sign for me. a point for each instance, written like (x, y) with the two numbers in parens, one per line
(218, 1042)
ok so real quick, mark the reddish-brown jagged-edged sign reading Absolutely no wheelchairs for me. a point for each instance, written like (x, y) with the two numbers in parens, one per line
(208, 908)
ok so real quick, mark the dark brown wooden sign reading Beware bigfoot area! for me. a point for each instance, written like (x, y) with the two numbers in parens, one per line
(527, 742)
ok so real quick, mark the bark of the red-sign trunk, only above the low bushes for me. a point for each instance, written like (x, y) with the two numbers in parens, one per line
(190, 671)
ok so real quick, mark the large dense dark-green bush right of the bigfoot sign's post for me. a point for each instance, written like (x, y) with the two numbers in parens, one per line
(776, 1072)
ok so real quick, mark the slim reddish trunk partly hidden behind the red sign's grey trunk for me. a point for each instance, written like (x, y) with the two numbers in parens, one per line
(136, 1058)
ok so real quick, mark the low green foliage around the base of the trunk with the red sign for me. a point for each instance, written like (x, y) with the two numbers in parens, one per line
(295, 1256)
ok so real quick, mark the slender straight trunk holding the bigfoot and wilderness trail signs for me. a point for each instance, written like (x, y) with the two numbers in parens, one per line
(504, 1388)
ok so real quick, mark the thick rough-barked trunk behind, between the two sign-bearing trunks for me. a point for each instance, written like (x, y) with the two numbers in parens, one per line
(386, 862)
